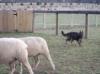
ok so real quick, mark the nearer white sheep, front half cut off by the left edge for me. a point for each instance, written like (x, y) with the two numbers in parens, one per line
(11, 50)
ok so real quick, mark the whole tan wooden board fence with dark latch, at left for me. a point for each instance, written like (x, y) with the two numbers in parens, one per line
(16, 21)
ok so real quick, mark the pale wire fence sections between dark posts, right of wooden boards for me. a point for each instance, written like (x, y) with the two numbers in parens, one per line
(47, 22)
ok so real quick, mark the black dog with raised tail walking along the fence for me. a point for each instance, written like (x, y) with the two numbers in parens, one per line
(71, 36)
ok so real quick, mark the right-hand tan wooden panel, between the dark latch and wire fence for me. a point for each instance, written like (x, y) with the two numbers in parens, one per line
(25, 21)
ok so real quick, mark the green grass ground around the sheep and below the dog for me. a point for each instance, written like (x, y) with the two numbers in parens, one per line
(69, 59)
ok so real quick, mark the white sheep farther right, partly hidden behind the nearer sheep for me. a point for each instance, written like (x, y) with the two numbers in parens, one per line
(38, 46)
